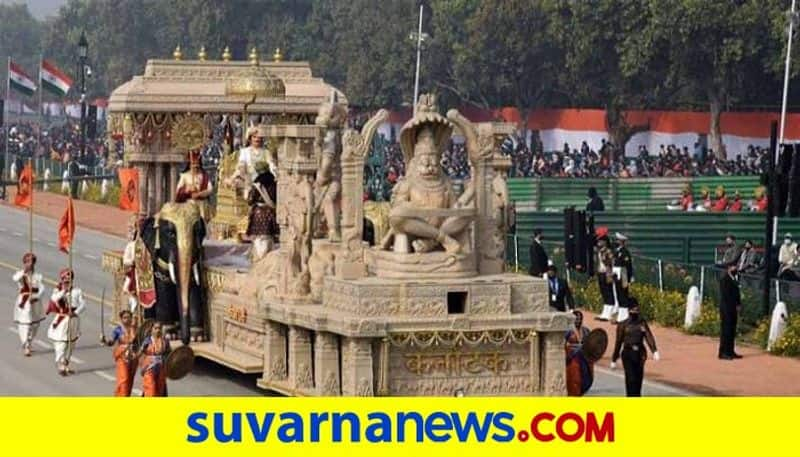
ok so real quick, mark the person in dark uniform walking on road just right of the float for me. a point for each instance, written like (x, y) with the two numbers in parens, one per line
(632, 334)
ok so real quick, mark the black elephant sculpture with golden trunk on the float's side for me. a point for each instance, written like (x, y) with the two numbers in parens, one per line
(174, 237)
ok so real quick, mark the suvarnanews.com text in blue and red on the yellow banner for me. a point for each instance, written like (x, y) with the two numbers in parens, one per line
(400, 427)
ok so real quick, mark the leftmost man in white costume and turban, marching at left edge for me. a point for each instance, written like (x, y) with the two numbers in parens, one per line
(28, 307)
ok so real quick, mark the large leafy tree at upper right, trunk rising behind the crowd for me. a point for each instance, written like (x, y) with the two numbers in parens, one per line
(712, 48)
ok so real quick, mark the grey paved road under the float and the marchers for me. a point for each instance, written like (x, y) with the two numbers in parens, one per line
(94, 367)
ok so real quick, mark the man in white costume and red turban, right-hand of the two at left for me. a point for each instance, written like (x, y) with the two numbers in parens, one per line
(66, 303)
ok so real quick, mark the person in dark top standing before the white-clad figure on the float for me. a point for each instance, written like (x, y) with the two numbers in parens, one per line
(262, 225)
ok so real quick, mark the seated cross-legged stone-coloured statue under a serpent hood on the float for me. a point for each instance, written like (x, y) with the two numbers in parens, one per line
(427, 187)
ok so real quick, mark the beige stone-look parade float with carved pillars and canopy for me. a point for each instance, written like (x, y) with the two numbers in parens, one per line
(429, 310)
